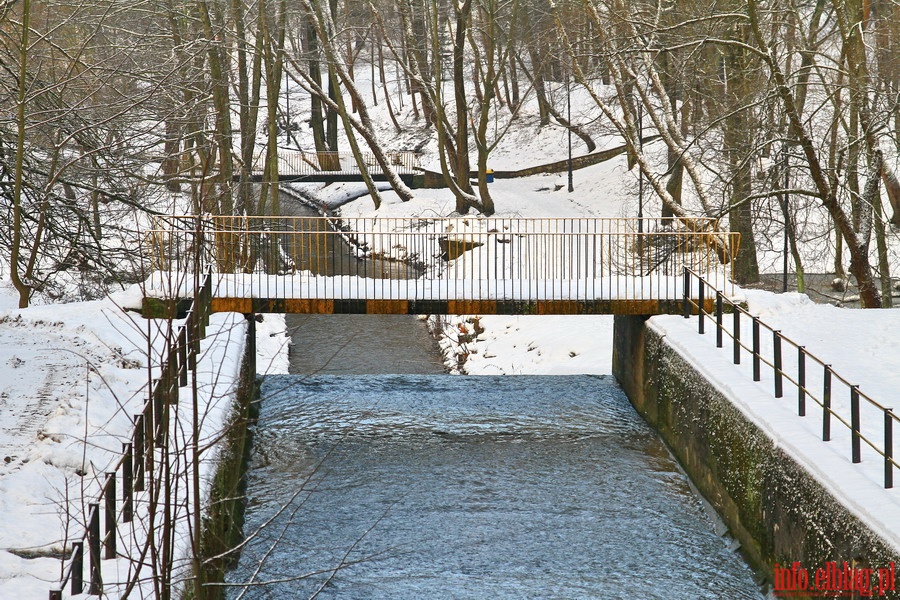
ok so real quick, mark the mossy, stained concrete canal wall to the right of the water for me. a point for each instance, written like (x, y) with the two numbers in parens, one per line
(777, 510)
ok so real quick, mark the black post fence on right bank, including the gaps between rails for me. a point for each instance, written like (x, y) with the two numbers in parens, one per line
(840, 403)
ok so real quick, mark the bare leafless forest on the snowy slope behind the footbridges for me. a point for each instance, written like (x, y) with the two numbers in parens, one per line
(781, 117)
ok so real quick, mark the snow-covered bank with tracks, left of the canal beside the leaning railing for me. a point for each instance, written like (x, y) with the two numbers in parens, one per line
(73, 376)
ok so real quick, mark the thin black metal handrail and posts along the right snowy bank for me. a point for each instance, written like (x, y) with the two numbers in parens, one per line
(692, 306)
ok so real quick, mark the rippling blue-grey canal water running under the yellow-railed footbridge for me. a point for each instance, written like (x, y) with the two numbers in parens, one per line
(375, 475)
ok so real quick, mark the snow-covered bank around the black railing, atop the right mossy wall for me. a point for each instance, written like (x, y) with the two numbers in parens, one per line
(860, 346)
